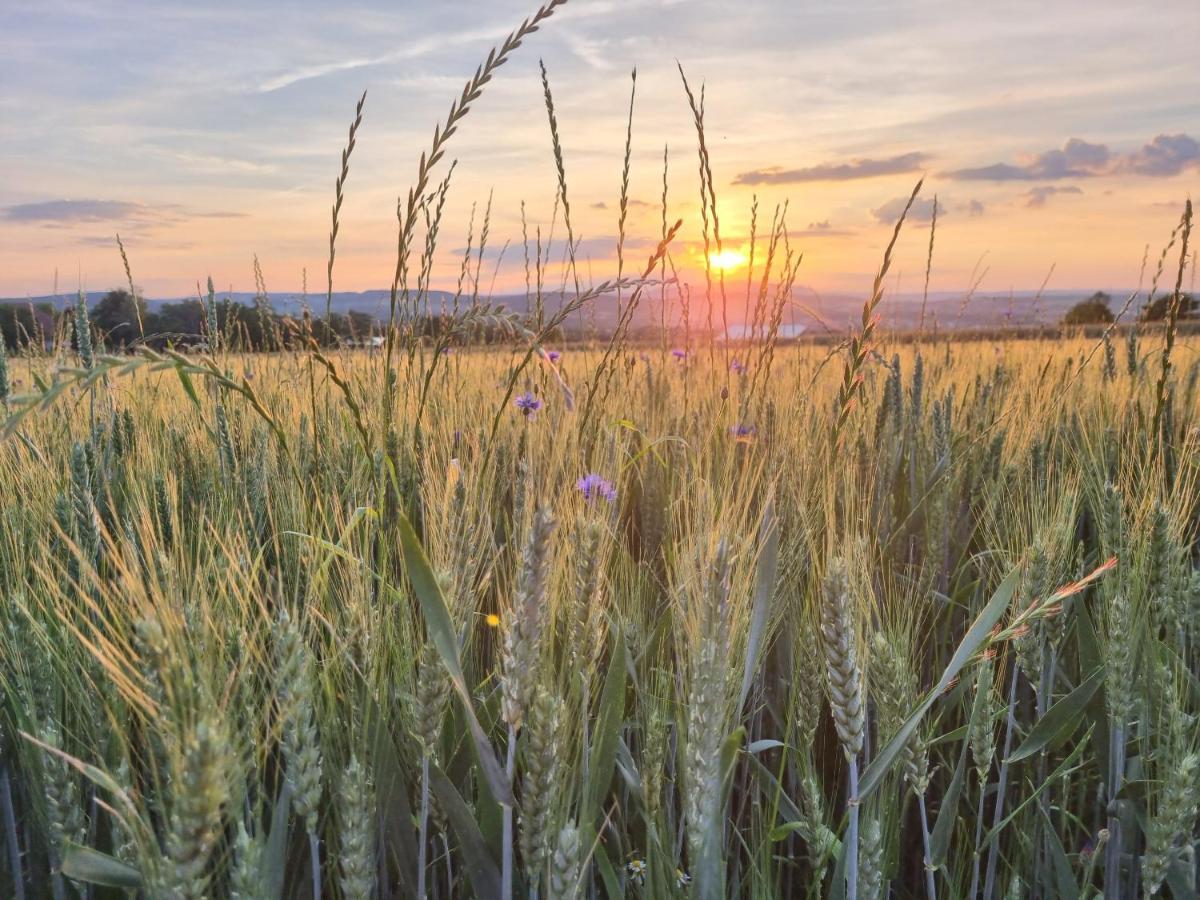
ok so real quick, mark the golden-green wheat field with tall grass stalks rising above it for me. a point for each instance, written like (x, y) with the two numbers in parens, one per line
(481, 614)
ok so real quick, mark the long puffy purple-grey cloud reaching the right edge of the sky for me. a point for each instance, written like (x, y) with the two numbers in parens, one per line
(1162, 158)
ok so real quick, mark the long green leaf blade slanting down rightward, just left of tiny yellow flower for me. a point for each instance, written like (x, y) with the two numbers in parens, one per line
(441, 633)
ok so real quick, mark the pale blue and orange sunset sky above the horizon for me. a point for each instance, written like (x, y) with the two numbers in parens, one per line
(1054, 134)
